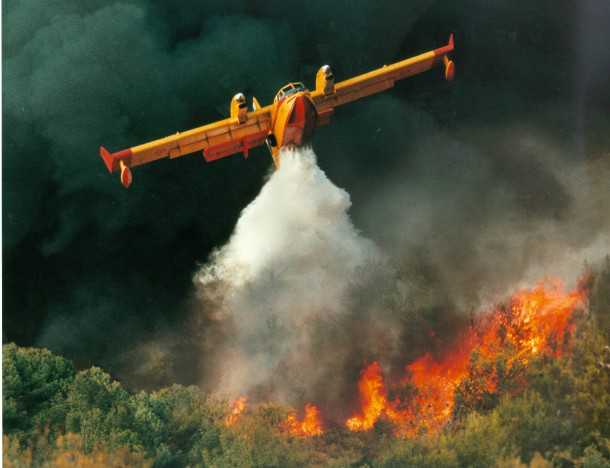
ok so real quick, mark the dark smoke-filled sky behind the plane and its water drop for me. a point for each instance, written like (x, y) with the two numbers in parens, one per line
(465, 189)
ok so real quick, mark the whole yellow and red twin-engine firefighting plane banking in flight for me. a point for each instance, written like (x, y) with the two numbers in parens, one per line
(290, 120)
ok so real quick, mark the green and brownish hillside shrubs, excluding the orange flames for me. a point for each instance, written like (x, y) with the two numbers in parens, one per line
(55, 415)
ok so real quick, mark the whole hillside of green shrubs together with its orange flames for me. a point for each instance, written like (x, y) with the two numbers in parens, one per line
(526, 382)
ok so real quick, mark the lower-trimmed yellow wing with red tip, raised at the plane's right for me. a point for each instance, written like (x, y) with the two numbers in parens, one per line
(381, 79)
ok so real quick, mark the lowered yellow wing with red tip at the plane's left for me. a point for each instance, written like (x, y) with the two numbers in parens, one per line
(216, 140)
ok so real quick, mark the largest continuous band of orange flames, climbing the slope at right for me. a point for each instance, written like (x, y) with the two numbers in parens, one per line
(537, 321)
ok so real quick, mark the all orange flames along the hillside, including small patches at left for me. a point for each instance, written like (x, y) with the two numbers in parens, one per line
(535, 322)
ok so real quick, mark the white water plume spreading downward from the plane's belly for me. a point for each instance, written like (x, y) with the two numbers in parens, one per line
(284, 286)
